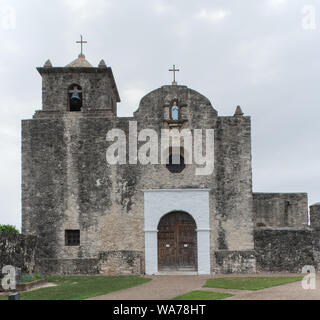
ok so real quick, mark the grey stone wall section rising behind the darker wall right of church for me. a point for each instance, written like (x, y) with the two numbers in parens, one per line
(280, 209)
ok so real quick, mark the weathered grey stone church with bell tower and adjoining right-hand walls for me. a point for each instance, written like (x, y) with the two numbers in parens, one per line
(93, 217)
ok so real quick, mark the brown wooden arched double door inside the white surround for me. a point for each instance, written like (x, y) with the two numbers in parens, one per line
(177, 242)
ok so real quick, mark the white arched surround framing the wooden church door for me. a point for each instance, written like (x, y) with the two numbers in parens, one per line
(158, 203)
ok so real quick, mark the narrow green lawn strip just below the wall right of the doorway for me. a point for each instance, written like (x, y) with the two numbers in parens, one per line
(249, 283)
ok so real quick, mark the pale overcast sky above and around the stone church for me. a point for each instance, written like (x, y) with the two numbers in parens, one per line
(263, 55)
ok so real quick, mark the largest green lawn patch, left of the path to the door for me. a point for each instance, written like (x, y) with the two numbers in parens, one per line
(81, 287)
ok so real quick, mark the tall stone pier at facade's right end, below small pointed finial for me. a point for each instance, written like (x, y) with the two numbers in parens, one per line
(232, 222)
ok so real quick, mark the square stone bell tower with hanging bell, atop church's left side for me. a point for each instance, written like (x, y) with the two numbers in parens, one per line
(78, 87)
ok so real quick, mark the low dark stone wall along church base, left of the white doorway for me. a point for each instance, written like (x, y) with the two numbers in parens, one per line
(30, 254)
